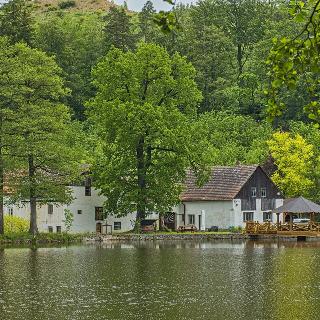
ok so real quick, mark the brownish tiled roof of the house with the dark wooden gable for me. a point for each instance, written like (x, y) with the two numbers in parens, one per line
(224, 184)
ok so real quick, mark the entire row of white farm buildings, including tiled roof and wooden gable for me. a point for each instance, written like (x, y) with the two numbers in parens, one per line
(232, 196)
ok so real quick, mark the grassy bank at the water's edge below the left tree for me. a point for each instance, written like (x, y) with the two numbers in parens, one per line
(43, 238)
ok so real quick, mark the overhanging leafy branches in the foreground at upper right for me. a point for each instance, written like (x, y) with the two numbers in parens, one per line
(294, 58)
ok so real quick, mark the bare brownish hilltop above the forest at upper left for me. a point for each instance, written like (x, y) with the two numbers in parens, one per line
(73, 5)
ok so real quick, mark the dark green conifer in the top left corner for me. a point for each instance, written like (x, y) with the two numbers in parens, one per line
(16, 21)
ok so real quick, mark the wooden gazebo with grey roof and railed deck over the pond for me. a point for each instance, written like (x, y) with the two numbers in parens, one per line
(295, 208)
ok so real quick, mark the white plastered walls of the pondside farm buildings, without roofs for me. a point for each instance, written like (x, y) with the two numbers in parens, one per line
(203, 214)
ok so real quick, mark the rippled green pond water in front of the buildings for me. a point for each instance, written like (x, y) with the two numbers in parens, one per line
(162, 280)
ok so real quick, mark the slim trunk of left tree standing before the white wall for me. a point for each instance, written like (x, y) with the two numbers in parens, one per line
(32, 197)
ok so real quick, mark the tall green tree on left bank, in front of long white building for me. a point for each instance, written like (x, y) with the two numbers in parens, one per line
(43, 139)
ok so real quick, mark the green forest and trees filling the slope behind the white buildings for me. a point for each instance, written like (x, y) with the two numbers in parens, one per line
(142, 97)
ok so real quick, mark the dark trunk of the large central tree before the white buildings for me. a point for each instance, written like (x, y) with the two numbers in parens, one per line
(141, 173)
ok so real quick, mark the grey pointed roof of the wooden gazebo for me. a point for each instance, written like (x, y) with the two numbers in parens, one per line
(299, 205)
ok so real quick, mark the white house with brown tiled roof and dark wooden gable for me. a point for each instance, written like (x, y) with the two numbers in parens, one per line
(232, 196)
